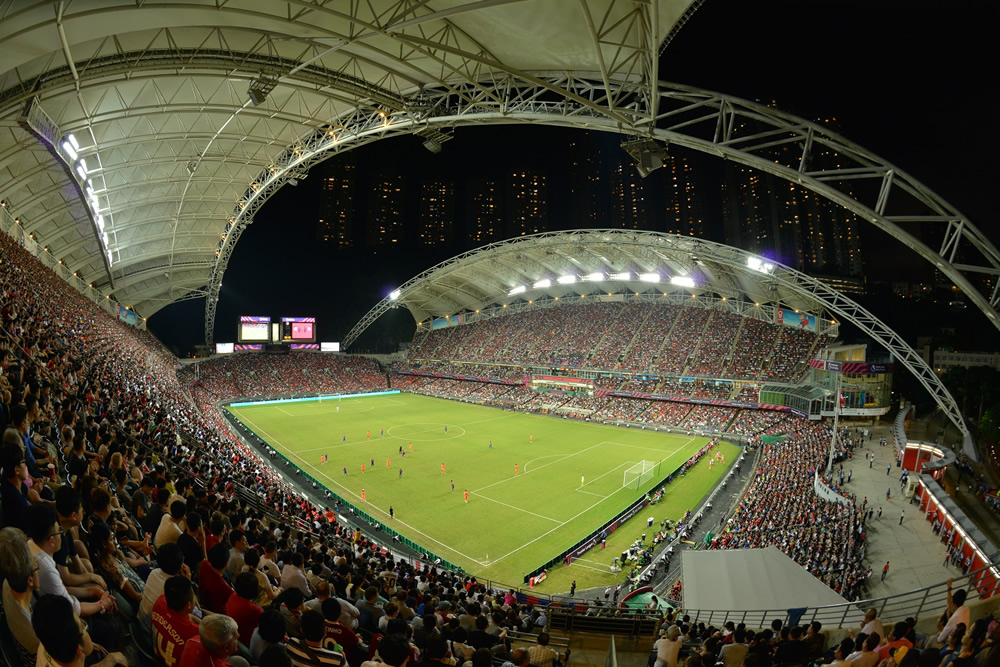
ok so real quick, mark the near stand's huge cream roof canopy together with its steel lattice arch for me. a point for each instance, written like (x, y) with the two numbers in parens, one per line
(188, 115)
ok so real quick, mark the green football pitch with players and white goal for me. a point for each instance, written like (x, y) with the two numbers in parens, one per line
(536, 484)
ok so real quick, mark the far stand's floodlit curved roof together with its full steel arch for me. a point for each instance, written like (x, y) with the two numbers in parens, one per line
(470, 281)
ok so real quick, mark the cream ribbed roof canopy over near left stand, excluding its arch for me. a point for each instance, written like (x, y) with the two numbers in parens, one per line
(157, 95)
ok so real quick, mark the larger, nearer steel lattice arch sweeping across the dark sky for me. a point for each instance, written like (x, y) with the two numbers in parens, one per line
(757, 136)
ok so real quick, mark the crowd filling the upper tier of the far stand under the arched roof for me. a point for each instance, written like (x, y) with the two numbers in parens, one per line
(641, 337)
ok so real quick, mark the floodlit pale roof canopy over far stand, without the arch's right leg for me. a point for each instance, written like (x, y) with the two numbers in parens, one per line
(581, 263)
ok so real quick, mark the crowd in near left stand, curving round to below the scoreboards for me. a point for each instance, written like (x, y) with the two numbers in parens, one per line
(127, 506)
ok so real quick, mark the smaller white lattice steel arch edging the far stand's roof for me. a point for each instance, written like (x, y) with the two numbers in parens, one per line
(733, 259)
